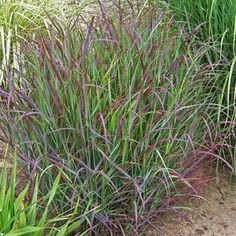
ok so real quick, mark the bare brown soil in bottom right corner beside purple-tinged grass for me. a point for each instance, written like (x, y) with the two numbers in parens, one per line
(215, 216)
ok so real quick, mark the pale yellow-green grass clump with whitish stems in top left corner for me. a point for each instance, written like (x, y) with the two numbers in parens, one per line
(17, 20)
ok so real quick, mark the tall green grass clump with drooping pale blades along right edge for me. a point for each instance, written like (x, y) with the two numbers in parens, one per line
(218, 27)
